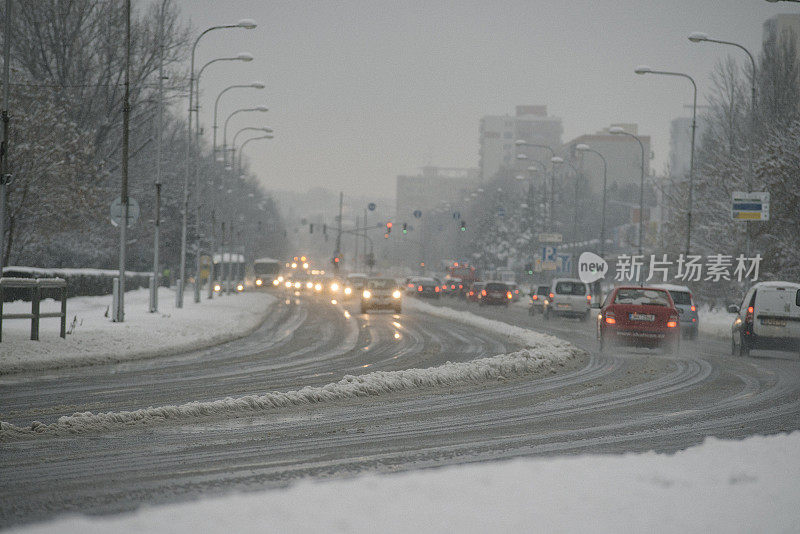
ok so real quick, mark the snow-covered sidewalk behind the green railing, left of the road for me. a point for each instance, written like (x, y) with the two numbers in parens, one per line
(96, 339)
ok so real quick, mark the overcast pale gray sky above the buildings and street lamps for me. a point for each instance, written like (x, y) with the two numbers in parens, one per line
(360, 92)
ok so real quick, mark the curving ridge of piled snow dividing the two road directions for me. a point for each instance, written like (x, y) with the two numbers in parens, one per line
(543, 354)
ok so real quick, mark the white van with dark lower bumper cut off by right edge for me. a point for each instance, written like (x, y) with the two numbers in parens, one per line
(768, 318)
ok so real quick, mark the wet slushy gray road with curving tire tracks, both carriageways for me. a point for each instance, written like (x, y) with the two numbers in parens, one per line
(627, 401)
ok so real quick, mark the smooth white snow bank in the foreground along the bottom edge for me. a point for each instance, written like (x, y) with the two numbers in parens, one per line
(719, 486)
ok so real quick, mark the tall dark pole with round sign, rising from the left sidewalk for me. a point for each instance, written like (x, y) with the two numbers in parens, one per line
(119, 315)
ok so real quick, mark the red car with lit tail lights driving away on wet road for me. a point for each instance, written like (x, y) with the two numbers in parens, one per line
(639, 316)
